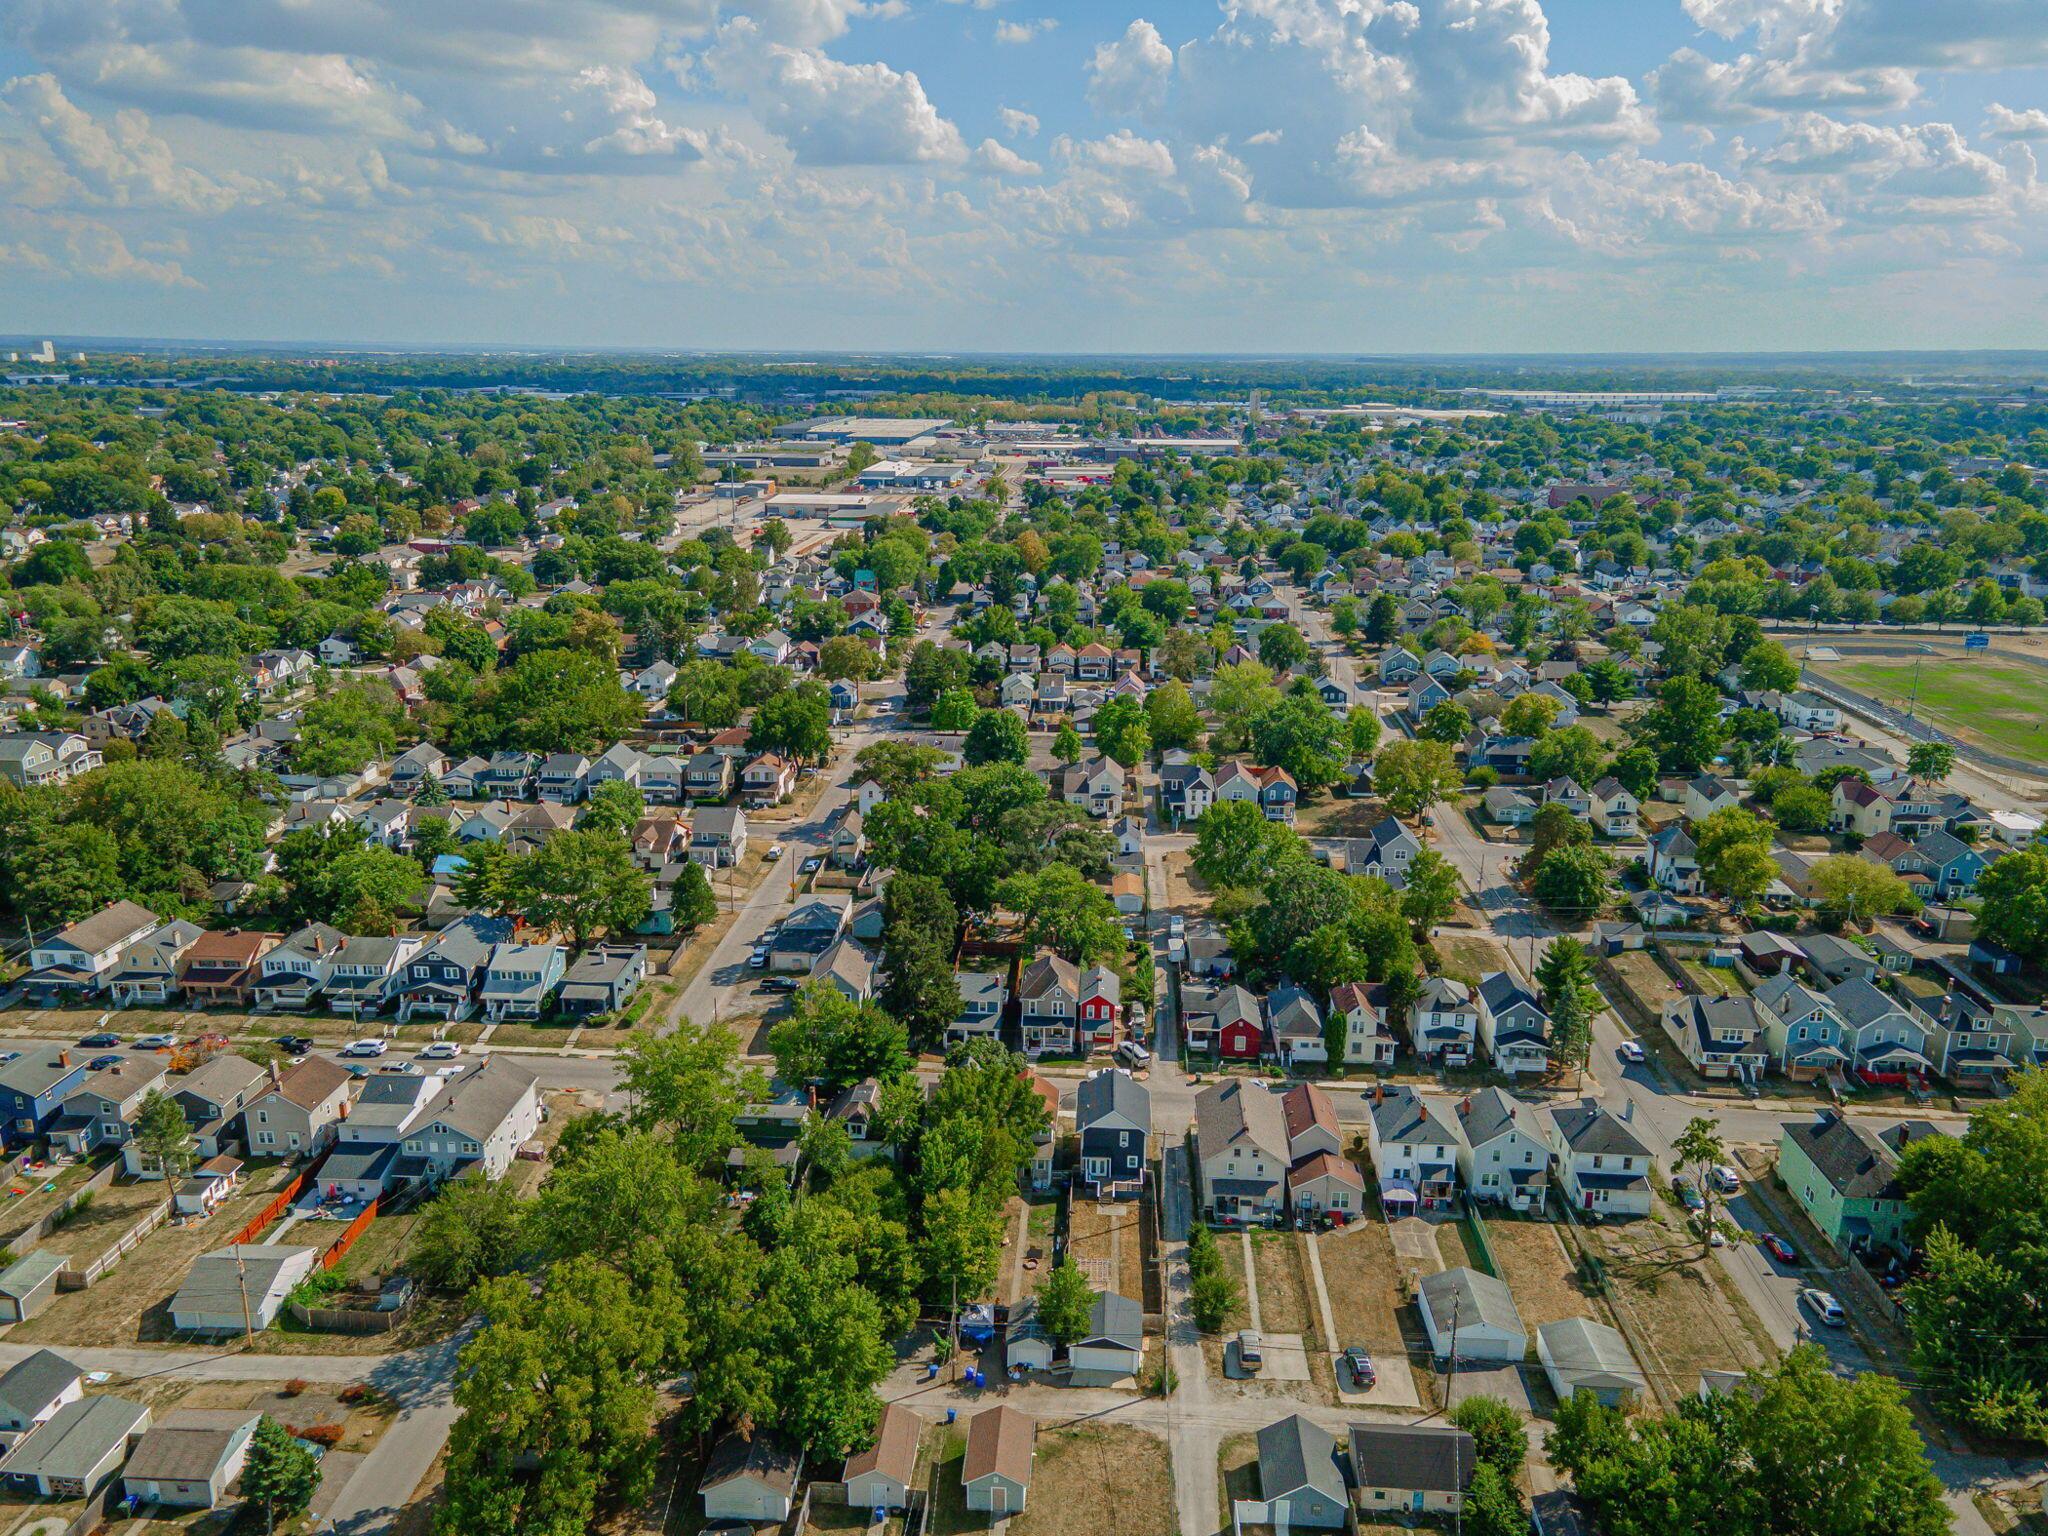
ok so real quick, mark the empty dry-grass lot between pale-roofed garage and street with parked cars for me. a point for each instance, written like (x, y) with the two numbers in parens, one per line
(1684, 1308)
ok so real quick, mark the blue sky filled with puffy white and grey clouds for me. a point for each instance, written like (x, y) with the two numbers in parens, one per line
(1031, 175)
